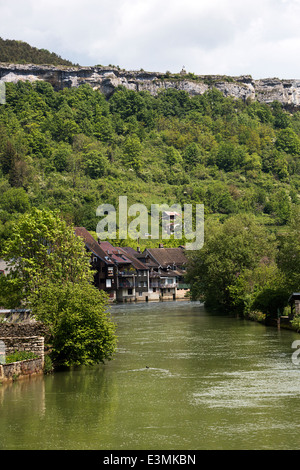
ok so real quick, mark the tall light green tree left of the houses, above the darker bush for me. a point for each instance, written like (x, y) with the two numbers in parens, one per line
(42, 246)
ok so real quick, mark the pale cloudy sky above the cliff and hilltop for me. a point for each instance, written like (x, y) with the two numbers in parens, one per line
(227, 37)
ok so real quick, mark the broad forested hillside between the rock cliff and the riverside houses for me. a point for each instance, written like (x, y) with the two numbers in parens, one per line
(72, 150)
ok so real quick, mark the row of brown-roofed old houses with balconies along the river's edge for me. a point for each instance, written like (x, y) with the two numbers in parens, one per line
(128, 275)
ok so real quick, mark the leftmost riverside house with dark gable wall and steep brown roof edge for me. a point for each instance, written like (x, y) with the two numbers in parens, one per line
(105, 271)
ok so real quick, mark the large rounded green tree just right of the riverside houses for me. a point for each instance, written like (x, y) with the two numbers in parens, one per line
(231, 249)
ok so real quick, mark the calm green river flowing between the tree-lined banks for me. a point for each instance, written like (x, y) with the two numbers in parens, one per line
(182, 379)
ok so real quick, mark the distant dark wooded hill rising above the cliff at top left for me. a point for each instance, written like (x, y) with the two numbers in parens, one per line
(20, 52)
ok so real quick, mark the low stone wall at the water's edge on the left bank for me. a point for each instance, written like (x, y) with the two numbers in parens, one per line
(21, 369)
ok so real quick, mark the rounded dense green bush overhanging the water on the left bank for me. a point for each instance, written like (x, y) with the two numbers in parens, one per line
(82, 332)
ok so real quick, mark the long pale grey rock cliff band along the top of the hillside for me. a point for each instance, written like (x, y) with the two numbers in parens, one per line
(106, 79)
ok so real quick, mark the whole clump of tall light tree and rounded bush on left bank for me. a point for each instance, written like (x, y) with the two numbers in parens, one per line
(51, 275)
